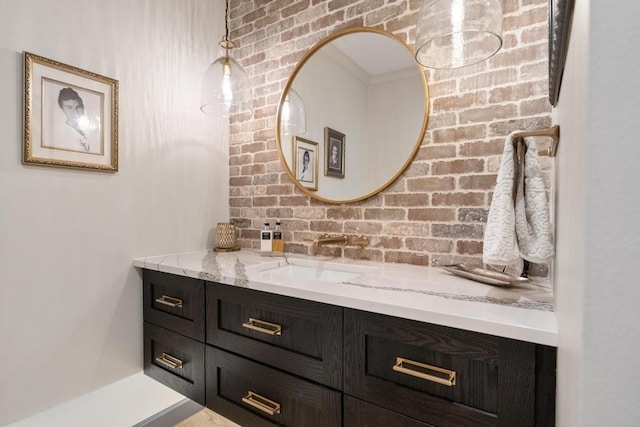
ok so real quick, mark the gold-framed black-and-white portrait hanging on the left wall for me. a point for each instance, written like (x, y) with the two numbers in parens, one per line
(70, 116)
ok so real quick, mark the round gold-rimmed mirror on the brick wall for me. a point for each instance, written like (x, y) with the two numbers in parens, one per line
(352, 115)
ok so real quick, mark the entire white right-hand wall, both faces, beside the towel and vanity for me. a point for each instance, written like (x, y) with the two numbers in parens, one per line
(598, 215)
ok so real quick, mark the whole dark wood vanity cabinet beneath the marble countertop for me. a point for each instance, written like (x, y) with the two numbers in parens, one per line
(276, 360)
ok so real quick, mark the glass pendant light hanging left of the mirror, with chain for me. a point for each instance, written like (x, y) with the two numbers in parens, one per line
(226, 89)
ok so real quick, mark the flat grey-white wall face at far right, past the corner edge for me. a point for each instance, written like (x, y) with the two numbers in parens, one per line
(612, 291)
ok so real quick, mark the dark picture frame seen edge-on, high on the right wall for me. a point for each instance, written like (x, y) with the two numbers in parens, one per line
(560, 14)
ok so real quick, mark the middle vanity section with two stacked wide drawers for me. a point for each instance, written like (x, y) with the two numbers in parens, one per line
(272, 359)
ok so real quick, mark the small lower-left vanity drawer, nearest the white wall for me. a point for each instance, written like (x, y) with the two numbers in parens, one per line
(175, 360)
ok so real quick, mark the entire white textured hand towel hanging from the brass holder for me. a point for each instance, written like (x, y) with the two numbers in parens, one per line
(520, 229)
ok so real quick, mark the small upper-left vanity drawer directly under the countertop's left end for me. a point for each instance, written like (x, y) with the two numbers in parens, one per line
(174, 302)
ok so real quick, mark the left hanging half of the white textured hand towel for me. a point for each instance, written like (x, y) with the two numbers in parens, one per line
(500, 242)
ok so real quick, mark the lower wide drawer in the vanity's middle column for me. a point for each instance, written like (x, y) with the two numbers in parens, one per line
(252, 394)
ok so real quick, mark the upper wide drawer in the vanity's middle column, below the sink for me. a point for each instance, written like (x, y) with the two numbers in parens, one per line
(298, 336)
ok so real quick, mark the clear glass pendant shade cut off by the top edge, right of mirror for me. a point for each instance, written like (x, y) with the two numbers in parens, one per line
(457, 33)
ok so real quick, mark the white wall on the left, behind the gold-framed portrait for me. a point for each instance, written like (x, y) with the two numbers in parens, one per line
(70, 302)
